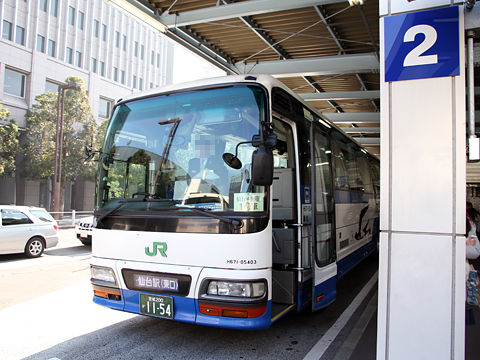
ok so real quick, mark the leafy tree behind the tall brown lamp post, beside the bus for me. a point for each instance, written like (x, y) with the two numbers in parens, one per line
(78, 130)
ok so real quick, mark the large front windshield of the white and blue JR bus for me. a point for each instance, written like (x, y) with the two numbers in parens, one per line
(168, 150)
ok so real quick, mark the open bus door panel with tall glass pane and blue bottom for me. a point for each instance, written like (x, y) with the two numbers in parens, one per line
(323, 254)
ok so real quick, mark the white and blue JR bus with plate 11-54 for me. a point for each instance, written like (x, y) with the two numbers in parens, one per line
(228, 202)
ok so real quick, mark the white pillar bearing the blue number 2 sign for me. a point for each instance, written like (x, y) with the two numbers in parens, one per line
(421, 309)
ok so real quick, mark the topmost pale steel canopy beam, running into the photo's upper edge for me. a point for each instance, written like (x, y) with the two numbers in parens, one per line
(235, 10)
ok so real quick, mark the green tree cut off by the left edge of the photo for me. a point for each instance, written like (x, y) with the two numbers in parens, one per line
(9, 144)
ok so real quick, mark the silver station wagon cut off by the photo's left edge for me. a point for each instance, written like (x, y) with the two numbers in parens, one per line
(26, 229)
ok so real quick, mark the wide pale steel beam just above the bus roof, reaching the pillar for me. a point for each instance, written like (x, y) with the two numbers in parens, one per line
(326, 65)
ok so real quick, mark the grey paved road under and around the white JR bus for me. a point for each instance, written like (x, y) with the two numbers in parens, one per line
(47, 305)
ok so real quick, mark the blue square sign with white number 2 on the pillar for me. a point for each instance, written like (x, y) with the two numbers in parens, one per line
(422, 45)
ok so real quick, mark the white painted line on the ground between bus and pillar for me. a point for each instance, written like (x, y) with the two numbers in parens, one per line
(322, 345)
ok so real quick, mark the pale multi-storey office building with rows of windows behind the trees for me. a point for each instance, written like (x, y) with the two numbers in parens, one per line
(45, 41)
